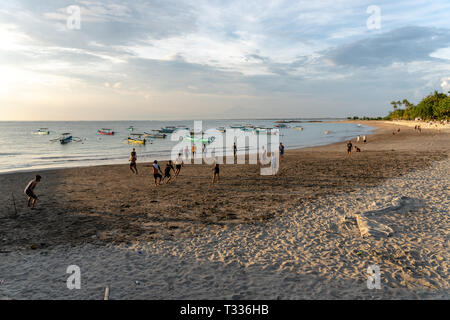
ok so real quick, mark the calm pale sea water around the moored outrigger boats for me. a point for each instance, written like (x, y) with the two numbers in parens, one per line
(23, 150)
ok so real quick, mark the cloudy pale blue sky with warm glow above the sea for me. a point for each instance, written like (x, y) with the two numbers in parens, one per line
(195, 59)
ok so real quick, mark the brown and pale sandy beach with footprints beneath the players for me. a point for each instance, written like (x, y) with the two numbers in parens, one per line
(292, 236)
